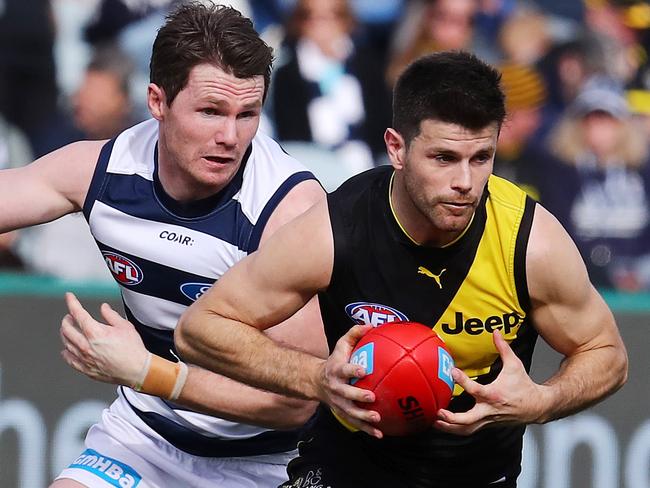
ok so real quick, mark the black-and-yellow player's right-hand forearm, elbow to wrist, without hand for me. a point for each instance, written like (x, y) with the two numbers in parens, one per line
(583, 380)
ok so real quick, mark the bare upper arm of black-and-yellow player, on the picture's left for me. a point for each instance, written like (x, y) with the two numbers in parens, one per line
(273, 283)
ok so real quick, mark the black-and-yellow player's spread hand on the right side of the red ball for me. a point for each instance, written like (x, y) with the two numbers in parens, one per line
(512, 398)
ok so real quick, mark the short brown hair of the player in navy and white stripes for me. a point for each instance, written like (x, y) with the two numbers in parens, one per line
(196, 33)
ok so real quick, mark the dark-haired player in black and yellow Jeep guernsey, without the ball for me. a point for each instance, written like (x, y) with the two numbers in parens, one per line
(434, 238)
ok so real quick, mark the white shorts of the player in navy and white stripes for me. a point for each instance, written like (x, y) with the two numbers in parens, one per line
(122, 455)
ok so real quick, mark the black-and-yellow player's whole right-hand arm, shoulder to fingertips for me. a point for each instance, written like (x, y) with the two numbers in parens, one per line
(572, 317)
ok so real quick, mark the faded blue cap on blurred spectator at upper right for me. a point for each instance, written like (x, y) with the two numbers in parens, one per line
(601, 94)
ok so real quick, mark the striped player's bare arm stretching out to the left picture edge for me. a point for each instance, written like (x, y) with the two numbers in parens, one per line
(50, 187)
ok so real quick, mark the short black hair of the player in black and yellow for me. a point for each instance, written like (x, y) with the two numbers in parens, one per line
(449, 86)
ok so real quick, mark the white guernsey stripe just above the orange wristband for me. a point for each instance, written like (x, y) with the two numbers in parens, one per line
(152, 311)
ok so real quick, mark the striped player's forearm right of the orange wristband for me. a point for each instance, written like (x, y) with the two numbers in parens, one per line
(222, 397)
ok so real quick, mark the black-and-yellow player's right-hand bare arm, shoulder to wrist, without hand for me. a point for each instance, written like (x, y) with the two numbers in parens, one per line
(574, 320)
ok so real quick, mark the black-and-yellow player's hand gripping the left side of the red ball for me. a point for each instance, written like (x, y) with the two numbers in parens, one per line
(336, 391)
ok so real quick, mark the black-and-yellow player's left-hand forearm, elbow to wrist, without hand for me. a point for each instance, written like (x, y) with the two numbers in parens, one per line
(245, 354)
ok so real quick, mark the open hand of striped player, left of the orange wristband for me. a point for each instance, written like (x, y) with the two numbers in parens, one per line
(112, 352)
